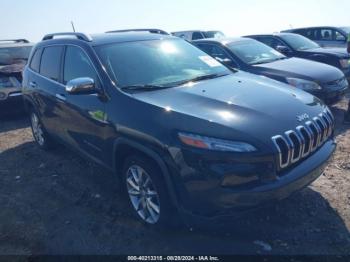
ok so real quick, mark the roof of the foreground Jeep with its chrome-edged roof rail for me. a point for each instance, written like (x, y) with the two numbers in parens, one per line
(101, 39)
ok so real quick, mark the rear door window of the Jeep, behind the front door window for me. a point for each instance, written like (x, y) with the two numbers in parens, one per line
(50, 62)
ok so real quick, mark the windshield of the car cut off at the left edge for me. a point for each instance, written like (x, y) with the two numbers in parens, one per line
(13, 55)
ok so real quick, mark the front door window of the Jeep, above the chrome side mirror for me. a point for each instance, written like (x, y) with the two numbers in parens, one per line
(77, 64)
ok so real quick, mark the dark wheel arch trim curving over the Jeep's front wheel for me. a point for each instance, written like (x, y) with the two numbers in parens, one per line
(155, 156)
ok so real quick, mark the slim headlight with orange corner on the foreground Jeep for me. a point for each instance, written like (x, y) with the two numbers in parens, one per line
(215, 144)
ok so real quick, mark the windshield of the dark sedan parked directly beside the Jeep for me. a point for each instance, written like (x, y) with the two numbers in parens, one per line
(253, 52)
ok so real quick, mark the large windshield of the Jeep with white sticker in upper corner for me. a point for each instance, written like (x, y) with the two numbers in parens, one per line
(157, 62)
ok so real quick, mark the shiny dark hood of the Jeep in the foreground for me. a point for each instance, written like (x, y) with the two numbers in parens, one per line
(244, 102)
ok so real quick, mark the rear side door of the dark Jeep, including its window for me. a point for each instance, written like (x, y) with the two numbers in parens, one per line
(43, 82)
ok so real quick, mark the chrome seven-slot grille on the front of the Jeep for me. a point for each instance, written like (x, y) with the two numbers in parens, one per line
(297, 144)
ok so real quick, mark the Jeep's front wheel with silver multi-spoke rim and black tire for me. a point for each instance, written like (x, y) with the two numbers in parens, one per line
(146, 191)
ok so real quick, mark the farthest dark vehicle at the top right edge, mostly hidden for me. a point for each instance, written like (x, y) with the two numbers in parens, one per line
(325, 36)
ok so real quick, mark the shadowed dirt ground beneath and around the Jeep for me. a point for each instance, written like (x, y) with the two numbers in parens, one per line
(58, 203)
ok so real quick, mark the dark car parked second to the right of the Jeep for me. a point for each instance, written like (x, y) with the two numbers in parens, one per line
(293, 45)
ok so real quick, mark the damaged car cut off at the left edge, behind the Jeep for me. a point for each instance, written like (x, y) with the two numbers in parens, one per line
(13, 57)
